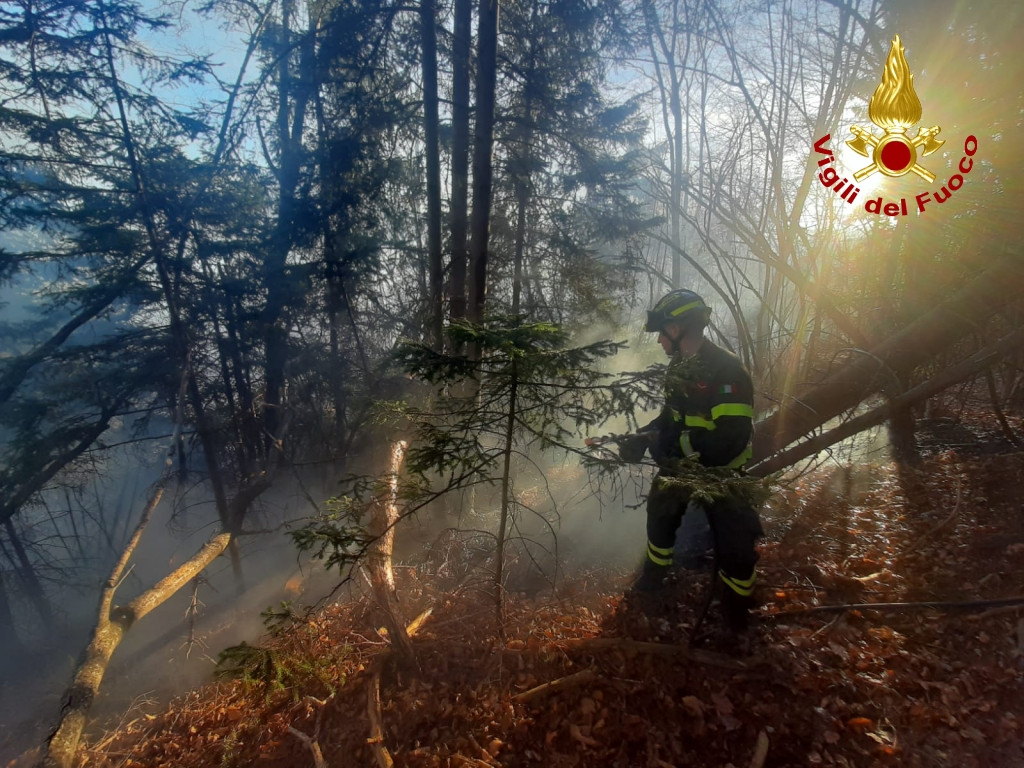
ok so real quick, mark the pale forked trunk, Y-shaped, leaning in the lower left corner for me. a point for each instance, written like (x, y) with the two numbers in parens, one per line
(113, 623)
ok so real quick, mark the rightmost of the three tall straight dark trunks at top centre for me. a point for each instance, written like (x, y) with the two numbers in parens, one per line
(487, 77)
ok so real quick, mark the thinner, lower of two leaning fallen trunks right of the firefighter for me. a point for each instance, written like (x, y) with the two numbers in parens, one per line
(971, 367)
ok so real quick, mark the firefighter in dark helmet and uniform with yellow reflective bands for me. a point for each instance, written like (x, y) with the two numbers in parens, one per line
(708, 417)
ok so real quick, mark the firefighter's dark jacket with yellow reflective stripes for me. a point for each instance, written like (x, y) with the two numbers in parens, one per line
(709, 410)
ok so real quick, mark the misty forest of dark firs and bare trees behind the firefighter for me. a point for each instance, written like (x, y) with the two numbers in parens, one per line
(328, 273)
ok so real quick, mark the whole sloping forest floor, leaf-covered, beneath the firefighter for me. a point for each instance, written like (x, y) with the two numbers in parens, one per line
(912, 687)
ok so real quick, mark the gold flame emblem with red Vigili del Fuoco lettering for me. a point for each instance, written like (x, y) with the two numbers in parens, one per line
(895, 109)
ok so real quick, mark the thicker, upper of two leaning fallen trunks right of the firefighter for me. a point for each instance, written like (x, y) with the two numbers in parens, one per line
(913, 347)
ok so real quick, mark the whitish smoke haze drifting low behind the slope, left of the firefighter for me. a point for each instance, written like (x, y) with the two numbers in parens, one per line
(561, 514)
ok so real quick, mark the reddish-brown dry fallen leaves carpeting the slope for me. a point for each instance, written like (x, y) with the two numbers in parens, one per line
(938, 687)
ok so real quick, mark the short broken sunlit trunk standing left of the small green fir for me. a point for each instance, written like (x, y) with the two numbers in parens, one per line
(386, 517)
